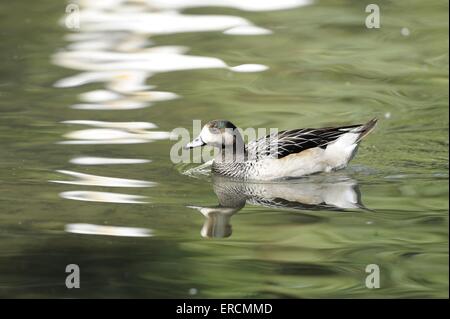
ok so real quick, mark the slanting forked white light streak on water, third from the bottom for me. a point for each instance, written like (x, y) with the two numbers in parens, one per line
(95, 180)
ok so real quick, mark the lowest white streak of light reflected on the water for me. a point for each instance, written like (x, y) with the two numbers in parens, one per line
(91, 229)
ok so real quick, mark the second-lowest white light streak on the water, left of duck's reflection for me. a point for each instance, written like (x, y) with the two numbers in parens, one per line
(90, 196)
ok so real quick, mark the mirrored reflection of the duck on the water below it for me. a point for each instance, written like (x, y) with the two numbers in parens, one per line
(310, 193)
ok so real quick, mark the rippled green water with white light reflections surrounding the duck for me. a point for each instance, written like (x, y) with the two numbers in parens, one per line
(86, 176)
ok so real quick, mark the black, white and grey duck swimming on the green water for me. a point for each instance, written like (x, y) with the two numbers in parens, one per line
(281, 155)
